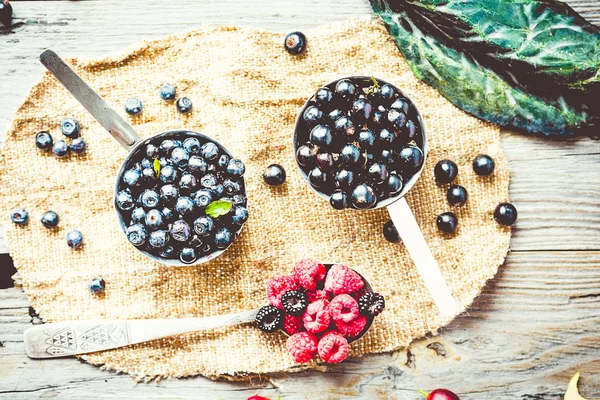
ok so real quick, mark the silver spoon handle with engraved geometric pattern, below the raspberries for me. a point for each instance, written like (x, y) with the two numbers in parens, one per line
(70, 338)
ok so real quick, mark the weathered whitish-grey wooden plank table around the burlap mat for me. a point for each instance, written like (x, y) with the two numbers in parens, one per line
(535, 324)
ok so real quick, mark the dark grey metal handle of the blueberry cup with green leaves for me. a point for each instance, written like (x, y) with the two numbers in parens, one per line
(84, 94)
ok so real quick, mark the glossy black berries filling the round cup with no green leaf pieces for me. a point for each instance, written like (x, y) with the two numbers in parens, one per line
(359, 141)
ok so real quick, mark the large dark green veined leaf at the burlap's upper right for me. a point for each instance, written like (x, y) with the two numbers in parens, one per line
(530, 64)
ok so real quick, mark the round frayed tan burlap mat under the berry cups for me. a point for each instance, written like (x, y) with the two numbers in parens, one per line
(246, 92)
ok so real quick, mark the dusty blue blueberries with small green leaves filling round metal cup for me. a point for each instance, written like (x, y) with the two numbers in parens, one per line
(181, 197)
